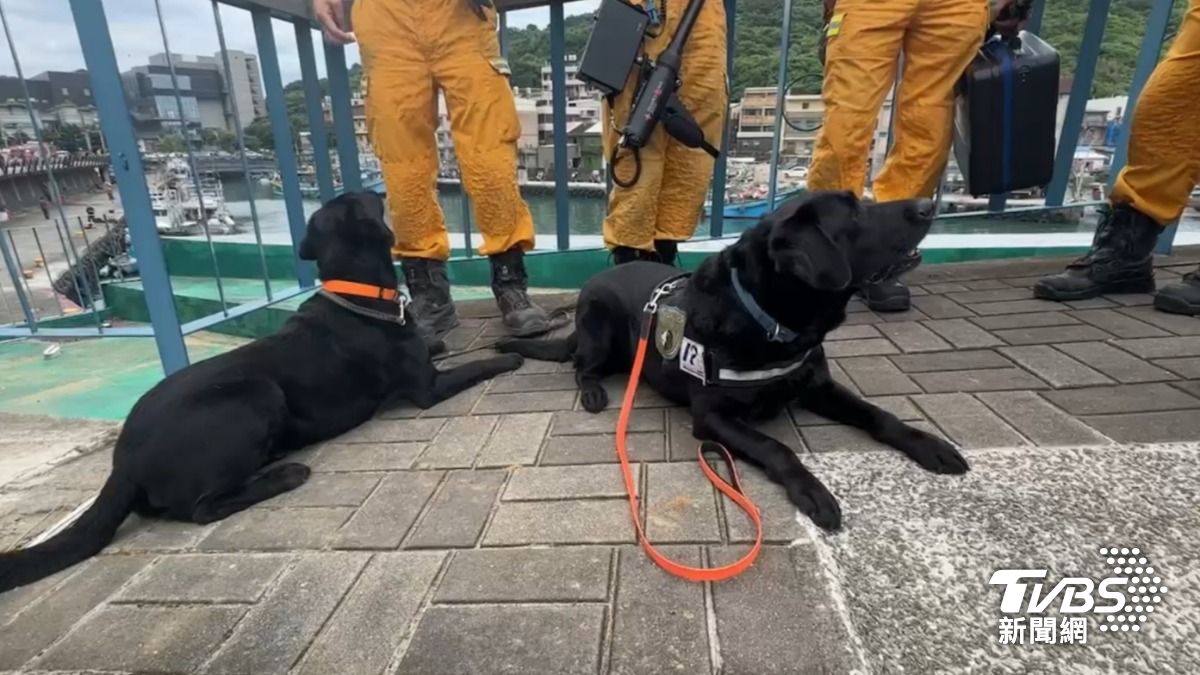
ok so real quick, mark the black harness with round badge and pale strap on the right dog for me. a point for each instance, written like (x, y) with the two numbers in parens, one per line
(669, 325)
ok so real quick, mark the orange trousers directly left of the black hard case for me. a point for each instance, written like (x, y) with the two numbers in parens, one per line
(939, 40)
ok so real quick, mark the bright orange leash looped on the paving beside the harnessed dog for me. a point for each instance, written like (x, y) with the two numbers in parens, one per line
(734, 492)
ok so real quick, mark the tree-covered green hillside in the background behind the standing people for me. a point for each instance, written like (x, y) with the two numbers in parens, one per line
(757, 61)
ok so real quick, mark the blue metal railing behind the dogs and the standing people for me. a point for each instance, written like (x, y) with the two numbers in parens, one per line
(129, 171)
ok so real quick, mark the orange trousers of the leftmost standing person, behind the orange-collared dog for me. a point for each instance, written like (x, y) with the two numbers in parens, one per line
(411, 50)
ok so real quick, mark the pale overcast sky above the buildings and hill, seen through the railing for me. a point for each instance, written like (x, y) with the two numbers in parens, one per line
(46, 37)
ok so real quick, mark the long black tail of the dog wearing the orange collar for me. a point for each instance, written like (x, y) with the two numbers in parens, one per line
(82, 540)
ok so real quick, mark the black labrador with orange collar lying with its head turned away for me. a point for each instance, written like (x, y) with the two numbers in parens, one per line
(195, 447)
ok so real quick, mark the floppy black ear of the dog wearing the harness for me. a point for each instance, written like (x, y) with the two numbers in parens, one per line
(802, 249)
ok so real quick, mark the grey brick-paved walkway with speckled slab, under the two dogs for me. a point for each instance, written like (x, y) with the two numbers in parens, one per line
(491, 534)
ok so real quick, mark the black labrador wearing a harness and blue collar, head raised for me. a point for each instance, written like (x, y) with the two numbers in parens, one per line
(741, 339)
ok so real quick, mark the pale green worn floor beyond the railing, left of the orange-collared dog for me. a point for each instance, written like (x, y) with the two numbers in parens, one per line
(98, 379)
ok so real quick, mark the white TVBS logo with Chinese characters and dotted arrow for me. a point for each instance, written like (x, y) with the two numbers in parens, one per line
(1120, 602)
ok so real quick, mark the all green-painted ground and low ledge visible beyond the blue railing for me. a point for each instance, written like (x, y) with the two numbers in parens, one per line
(103, 378)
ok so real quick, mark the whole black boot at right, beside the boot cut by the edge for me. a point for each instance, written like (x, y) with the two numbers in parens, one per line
(1121, 260)
